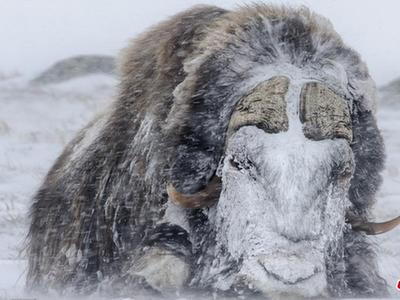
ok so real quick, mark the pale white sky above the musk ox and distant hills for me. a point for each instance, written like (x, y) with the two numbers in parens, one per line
(35, 33)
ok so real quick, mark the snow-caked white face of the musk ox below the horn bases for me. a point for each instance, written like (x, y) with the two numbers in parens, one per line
(282, 208)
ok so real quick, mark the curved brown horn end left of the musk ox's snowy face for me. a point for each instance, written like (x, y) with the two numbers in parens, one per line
(200, 199)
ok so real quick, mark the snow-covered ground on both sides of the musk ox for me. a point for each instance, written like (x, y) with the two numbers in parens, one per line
(37, 122)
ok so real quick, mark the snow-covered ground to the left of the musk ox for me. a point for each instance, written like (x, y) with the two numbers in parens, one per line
(35, 125)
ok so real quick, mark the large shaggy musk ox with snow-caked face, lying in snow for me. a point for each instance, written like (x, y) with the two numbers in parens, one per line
(241, 156)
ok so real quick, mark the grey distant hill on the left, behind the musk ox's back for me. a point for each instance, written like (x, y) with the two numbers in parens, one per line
(76, 66)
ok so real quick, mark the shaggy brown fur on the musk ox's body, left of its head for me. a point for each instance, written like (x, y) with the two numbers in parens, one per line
(82, 199)
